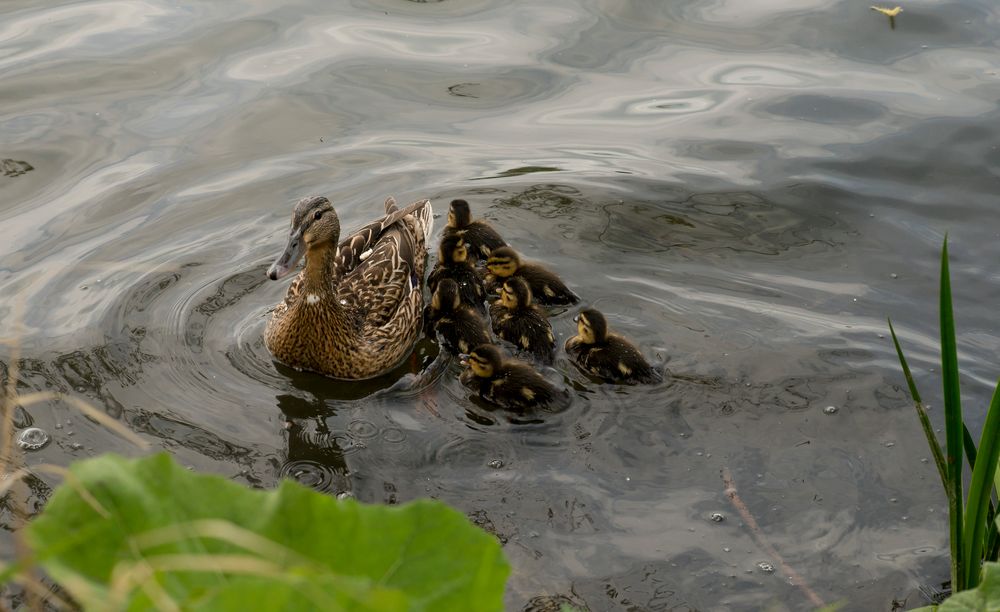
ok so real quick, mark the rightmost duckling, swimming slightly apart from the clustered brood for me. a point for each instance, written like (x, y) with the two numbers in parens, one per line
(605, 355)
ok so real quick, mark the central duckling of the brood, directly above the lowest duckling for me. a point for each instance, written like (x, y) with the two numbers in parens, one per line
(517, 320)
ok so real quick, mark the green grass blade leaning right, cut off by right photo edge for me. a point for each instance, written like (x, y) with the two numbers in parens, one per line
(977, 520)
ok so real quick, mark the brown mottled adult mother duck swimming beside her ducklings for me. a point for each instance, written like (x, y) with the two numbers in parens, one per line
(355, 309)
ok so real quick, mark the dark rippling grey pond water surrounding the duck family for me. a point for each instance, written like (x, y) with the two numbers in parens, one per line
(747, 189)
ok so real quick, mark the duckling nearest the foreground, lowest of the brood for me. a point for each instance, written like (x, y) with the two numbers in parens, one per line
(508, 383)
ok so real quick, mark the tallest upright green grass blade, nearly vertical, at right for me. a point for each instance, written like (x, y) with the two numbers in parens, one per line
(953, 426)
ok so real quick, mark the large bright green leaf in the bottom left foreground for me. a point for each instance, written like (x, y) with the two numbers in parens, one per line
(161, 535)
